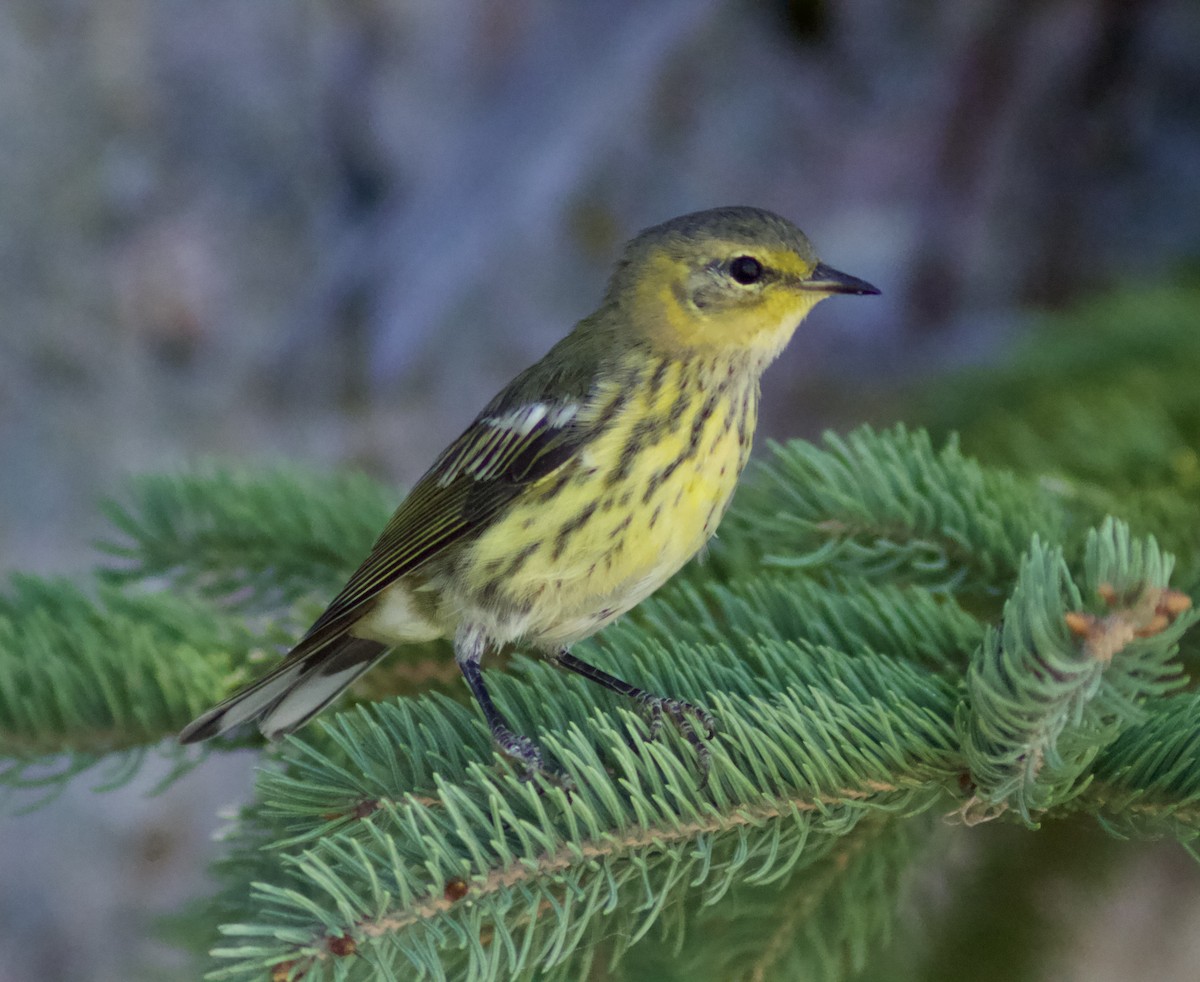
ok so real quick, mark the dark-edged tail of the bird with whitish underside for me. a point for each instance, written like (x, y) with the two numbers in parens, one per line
(293, 693)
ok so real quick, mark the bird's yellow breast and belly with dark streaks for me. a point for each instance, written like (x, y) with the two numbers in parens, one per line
(590, 542)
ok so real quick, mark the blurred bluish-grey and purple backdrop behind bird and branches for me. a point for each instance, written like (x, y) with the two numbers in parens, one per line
(329, 232)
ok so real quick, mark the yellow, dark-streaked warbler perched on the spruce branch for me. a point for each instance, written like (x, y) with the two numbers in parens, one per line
(583, 487)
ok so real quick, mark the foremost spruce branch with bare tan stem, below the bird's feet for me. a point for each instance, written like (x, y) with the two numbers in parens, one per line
(625, 847)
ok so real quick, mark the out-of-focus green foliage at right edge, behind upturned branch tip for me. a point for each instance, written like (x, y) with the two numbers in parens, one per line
(1101, 402)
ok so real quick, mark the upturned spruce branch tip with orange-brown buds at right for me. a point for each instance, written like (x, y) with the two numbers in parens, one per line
(1055, 685)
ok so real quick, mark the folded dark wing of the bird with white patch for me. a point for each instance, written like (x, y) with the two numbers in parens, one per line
(512, 445)
